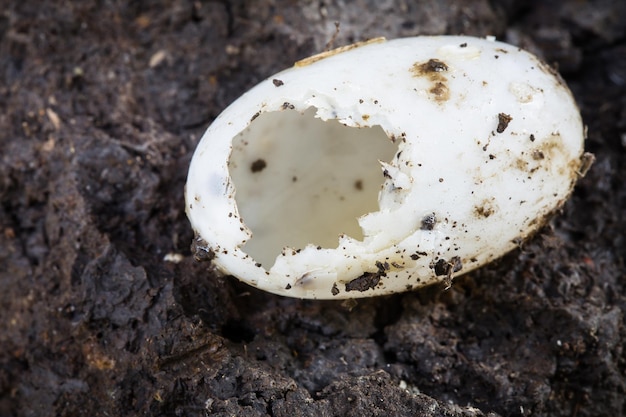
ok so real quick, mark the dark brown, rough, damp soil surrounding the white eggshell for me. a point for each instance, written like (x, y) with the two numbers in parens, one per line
(101, 105)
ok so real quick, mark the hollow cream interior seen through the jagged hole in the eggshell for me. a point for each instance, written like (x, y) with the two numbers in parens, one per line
(300, 180)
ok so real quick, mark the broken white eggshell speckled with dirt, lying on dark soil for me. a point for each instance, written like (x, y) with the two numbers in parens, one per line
(384, 166)
